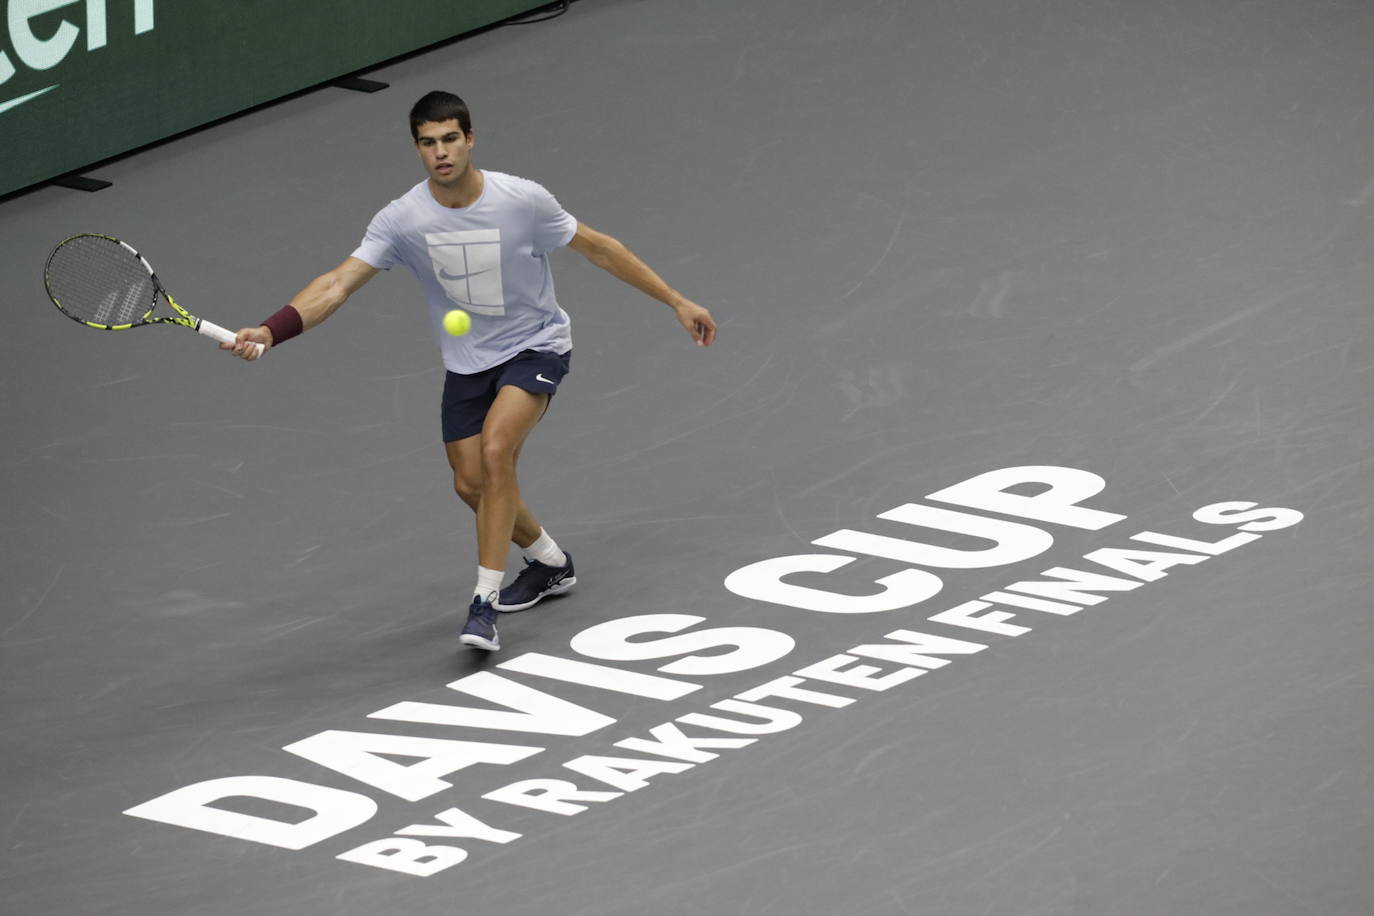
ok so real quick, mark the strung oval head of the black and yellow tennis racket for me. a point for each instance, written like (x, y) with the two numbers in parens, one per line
(100, 281)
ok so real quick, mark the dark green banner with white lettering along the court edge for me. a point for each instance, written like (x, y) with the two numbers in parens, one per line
(87, 80)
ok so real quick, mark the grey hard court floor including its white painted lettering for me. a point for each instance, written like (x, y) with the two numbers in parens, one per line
(1131, 241)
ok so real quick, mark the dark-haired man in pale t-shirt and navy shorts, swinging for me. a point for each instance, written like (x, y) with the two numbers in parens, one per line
(480, 241)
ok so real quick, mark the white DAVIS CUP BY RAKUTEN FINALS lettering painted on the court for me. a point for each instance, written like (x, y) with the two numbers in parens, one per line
(570, 751)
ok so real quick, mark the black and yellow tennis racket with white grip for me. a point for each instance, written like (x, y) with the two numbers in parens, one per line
(104, 284)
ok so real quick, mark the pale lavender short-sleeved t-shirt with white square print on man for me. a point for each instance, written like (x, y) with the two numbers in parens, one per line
(490, 259)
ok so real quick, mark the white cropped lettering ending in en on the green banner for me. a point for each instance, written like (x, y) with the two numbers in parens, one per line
(41, 54)
